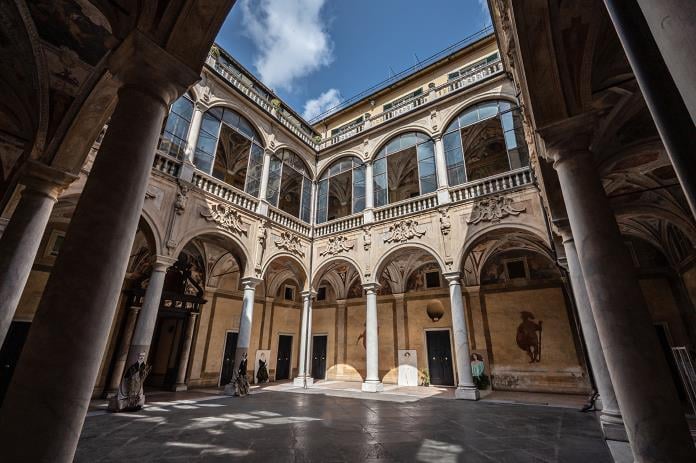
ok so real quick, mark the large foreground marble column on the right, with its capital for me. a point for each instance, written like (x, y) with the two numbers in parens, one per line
(653, 415)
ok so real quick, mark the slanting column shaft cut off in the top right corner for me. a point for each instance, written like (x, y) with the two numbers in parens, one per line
(641, 35)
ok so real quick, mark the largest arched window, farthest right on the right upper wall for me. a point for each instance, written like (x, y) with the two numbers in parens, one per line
(484, 140)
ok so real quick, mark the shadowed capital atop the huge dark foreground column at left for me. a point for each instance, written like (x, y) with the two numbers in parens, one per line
(141, 63)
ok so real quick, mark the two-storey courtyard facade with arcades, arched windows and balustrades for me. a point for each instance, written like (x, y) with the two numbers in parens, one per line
(374, 216)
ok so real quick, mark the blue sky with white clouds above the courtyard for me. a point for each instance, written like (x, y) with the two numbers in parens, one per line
(316, 53)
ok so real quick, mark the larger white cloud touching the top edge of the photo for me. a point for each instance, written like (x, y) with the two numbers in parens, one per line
(291, 38)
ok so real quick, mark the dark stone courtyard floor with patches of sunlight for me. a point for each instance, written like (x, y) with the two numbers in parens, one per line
(321, 424)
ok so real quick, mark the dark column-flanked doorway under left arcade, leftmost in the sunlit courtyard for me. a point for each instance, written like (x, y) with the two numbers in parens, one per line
(165, 351)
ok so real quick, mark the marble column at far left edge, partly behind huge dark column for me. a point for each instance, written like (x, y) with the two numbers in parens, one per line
(20, 240)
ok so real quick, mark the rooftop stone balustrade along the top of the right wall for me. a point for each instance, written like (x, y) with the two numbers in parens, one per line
(472, 77)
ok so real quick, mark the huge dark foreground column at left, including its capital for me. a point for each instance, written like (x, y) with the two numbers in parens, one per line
(45, 406)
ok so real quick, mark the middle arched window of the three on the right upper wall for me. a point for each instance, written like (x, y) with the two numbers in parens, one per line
(404, 168)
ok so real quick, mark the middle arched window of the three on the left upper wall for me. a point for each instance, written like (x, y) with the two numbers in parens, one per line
(230, 149)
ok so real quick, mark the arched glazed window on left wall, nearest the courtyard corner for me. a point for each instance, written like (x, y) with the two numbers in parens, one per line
(289, 185)
